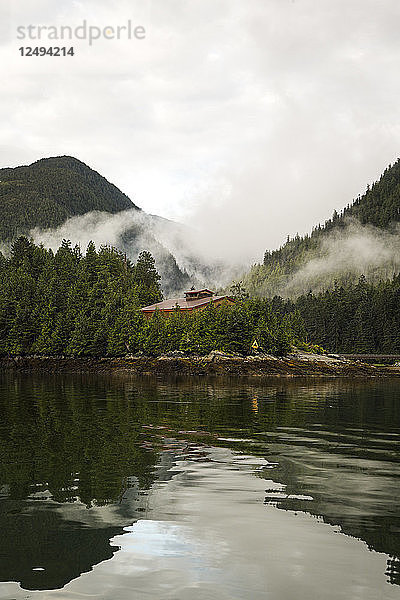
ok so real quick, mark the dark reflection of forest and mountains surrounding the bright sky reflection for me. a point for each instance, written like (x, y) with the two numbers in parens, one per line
(82, 458)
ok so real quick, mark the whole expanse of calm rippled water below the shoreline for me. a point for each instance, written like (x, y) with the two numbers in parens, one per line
(121, 488)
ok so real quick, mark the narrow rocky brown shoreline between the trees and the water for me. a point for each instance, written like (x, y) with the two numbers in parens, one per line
(298, 364)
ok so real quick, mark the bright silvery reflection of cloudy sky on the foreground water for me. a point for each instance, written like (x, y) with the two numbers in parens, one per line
(210, 536)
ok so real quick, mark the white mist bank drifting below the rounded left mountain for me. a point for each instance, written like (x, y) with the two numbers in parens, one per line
(181, 256)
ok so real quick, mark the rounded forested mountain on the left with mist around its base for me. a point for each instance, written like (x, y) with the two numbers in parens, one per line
(61, 197)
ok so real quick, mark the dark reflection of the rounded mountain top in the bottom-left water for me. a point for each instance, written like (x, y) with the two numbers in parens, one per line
(42, 537)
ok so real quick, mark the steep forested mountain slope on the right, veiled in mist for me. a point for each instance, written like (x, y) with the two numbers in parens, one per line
(363, 239)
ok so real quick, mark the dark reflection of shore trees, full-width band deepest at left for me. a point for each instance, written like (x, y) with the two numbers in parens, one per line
(81, 435)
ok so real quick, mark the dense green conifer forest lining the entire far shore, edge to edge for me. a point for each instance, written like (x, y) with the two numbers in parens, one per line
(69, 303)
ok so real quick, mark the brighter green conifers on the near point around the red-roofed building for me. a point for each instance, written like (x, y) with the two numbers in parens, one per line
(67, 303)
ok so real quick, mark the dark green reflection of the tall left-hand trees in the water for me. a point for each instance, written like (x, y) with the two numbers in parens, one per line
(79, 444)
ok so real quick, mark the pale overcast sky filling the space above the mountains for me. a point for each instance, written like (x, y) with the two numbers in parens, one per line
(250, 120)
